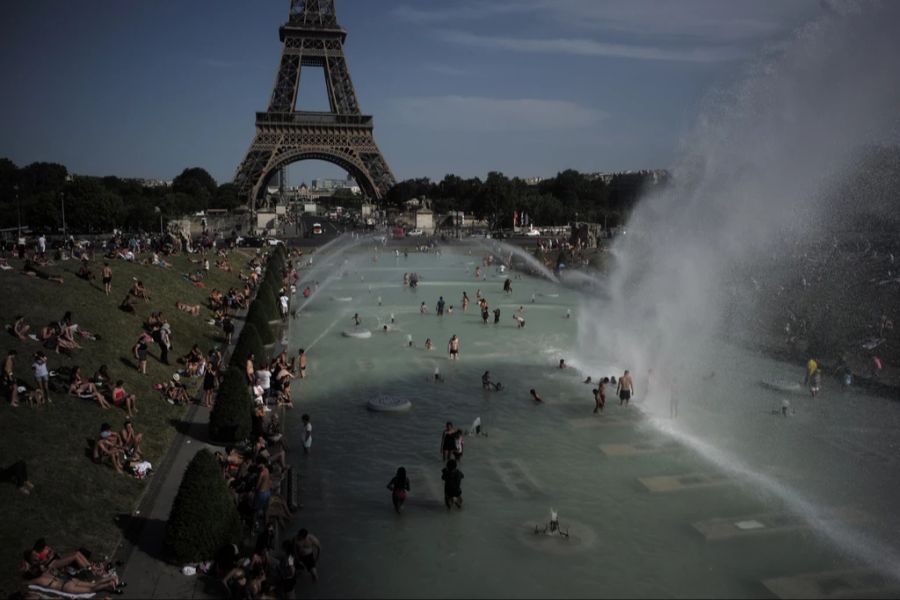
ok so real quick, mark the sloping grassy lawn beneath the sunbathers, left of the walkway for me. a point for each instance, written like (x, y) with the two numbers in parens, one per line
(75, 502)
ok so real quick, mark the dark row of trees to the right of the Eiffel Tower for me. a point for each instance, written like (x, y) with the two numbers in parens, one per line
(569, 196)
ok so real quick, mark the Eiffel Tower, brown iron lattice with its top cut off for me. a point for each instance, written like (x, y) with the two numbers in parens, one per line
(343, 135)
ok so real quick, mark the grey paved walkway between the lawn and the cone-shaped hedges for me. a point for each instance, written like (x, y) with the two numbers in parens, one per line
(147, 573)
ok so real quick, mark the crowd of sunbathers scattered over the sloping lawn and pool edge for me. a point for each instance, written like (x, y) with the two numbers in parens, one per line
(253, 470)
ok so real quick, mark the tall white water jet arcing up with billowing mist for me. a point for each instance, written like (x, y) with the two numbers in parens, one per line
(753, 179)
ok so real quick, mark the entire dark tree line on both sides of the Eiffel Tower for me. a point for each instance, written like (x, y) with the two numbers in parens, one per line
(34, 196)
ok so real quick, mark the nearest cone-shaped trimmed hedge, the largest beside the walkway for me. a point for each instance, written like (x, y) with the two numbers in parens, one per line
(204, 517)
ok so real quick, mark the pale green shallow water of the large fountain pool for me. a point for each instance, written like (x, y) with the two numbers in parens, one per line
(837, 450)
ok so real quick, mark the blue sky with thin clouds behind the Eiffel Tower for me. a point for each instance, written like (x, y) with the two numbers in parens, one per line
(528, 87)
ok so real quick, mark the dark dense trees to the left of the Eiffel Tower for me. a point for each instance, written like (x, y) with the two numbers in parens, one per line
(34, 195)
